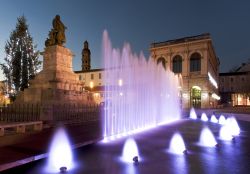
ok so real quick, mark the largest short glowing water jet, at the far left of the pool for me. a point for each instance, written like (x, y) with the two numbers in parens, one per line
(60, 154)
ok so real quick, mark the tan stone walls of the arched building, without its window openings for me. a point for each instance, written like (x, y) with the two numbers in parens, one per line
(200, 79)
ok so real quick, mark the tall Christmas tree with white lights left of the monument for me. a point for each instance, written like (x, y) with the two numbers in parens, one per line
(22, 60)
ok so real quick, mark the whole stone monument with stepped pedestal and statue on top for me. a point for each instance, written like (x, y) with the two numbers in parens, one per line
(56, 83)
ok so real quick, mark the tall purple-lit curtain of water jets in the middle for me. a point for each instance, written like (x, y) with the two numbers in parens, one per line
(138, 93)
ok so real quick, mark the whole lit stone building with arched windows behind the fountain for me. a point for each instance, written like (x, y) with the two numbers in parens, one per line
(194, 60)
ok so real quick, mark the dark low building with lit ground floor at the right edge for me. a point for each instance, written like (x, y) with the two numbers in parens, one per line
(235, 87)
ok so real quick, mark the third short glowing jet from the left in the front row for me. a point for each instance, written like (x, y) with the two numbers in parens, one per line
(177, 145)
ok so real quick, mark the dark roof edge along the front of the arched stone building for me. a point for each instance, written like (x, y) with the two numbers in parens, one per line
(181, 40)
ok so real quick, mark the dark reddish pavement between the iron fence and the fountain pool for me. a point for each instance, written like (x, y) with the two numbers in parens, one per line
(32, 146)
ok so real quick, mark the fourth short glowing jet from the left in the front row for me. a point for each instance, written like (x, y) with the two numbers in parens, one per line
(207, 138)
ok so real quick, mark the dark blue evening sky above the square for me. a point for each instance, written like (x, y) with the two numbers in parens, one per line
(139, 22)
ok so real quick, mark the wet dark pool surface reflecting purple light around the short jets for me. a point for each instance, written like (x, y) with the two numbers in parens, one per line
(231, 157)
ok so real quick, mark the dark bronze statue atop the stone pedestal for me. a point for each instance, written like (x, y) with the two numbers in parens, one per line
(57, 33)
